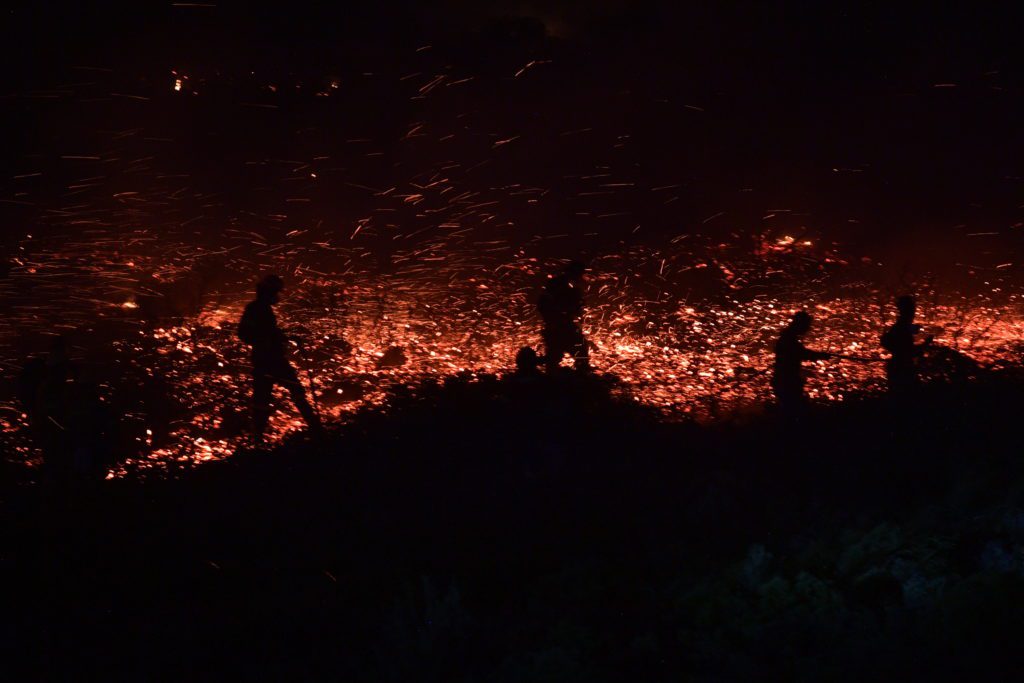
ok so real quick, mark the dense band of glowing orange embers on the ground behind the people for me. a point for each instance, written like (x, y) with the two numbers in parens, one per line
(182, 379)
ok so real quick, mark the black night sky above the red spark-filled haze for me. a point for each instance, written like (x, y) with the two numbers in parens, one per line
(923, 102)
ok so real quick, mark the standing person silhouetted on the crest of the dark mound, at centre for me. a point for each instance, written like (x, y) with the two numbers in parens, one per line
(561, 307)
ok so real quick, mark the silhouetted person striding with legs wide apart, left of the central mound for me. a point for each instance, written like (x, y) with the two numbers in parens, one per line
(271, 366)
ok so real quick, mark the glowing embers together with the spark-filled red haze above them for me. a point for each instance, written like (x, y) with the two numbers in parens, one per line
(415, 210)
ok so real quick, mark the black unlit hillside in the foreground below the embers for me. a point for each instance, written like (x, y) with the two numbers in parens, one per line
(544, 531)
